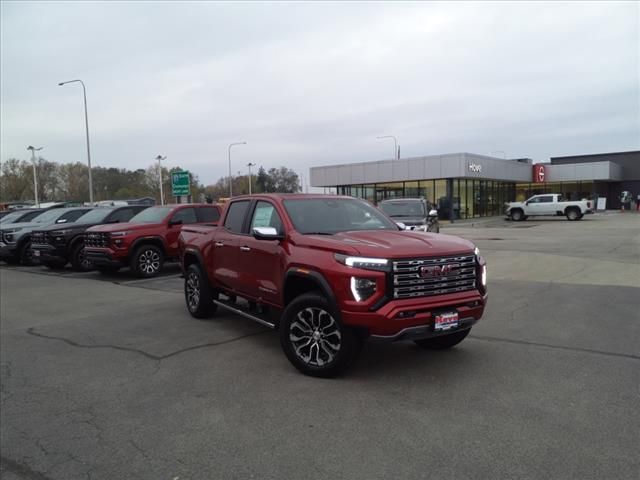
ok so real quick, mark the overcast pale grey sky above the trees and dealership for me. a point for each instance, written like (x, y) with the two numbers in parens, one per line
(309, 84)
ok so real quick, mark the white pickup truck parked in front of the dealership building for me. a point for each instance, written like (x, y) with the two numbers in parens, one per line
(548, 204)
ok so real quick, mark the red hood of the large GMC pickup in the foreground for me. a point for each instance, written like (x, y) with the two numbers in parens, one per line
(387, 243)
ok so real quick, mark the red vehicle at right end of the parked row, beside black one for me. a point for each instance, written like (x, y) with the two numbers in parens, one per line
(148, 240)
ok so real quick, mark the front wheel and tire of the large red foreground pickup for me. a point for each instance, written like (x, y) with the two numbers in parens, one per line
(314, 339)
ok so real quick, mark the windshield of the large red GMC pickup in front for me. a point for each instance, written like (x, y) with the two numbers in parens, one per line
(333, 215)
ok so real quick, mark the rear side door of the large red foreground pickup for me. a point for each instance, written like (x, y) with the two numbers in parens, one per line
(226, 256)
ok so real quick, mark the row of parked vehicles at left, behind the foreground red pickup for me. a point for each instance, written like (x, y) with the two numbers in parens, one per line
(104, 238)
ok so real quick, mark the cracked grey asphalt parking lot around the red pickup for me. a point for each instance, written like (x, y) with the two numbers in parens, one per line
(109, 377)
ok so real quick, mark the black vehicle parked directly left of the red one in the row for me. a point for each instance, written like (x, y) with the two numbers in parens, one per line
(57, 245)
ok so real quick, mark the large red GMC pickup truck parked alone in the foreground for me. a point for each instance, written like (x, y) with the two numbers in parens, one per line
(329, 272)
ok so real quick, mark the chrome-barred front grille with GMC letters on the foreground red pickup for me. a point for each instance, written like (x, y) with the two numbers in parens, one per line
(433, 276)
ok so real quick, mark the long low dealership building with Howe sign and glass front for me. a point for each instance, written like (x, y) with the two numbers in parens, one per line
(468, 185)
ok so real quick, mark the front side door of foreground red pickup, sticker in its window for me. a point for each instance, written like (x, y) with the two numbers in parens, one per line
(262, 266)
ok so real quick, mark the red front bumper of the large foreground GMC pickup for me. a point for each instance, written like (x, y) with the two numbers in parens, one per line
(414, 318)
